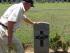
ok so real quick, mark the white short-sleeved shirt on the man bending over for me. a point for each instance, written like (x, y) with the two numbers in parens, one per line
(15, 14)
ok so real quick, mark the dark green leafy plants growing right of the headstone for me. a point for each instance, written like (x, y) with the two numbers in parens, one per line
(59, 42)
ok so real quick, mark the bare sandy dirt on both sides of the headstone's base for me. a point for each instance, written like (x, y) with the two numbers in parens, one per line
(30, 49)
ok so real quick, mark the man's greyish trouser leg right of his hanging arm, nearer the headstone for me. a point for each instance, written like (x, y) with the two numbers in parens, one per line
(18, 45)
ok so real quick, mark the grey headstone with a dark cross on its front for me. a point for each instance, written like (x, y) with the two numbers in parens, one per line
(41, 38)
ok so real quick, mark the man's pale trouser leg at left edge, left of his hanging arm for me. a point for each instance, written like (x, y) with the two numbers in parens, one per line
(3, 48)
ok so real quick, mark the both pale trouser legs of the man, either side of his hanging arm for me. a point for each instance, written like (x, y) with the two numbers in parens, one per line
(4, 41)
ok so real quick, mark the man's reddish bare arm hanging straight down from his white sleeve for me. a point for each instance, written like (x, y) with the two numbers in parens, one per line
(10, 32)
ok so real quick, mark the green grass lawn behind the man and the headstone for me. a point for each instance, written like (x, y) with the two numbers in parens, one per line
(57, 14)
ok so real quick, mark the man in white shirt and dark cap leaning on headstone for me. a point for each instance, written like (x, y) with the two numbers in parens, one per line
(10, 21)
